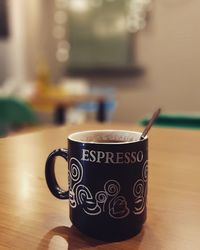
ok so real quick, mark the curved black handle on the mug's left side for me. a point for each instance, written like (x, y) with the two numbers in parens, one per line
(52, 183)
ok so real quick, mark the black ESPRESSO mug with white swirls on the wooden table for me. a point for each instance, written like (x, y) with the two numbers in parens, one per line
(107, 176)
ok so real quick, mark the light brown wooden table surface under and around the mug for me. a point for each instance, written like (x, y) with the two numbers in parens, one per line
(31, 218)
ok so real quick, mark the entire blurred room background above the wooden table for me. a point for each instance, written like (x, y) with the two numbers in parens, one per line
(110, 60)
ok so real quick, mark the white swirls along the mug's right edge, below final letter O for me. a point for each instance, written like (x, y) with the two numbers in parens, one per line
(140, 190)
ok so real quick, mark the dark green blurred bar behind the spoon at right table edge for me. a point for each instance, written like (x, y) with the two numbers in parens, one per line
(190, 121)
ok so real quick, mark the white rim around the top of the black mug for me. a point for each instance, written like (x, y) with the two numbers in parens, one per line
(100, 131)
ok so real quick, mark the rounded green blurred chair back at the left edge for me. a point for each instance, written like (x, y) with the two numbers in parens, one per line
(15, 114)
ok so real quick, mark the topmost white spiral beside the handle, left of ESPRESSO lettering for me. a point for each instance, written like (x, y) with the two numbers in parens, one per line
(76, 170)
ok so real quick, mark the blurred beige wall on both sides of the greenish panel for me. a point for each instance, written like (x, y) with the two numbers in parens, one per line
(168, 49)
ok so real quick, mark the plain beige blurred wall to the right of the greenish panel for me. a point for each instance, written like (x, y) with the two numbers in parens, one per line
(169, 49)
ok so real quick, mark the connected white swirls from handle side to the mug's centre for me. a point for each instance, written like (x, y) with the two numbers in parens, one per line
(109, 198)
